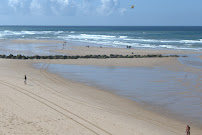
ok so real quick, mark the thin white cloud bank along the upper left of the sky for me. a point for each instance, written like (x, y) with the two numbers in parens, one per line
(61, 7)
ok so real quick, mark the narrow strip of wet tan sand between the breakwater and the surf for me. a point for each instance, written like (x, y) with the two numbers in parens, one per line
(78, 48)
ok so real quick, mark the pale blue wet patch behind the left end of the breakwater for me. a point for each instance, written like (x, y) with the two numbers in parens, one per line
(30, 47)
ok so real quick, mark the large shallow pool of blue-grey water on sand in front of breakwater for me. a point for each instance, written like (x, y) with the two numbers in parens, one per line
(169, 92)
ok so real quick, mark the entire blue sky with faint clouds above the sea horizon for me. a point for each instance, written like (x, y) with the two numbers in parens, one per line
(101, 12)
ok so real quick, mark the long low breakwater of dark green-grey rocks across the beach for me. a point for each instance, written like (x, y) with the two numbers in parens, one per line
(86, 56)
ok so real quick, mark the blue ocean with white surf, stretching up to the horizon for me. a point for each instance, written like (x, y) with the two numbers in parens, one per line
(139, 37)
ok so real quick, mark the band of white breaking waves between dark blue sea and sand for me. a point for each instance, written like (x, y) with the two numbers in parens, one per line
(115, 39)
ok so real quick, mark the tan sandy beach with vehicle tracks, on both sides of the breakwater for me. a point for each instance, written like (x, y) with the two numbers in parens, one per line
(49, 104)
